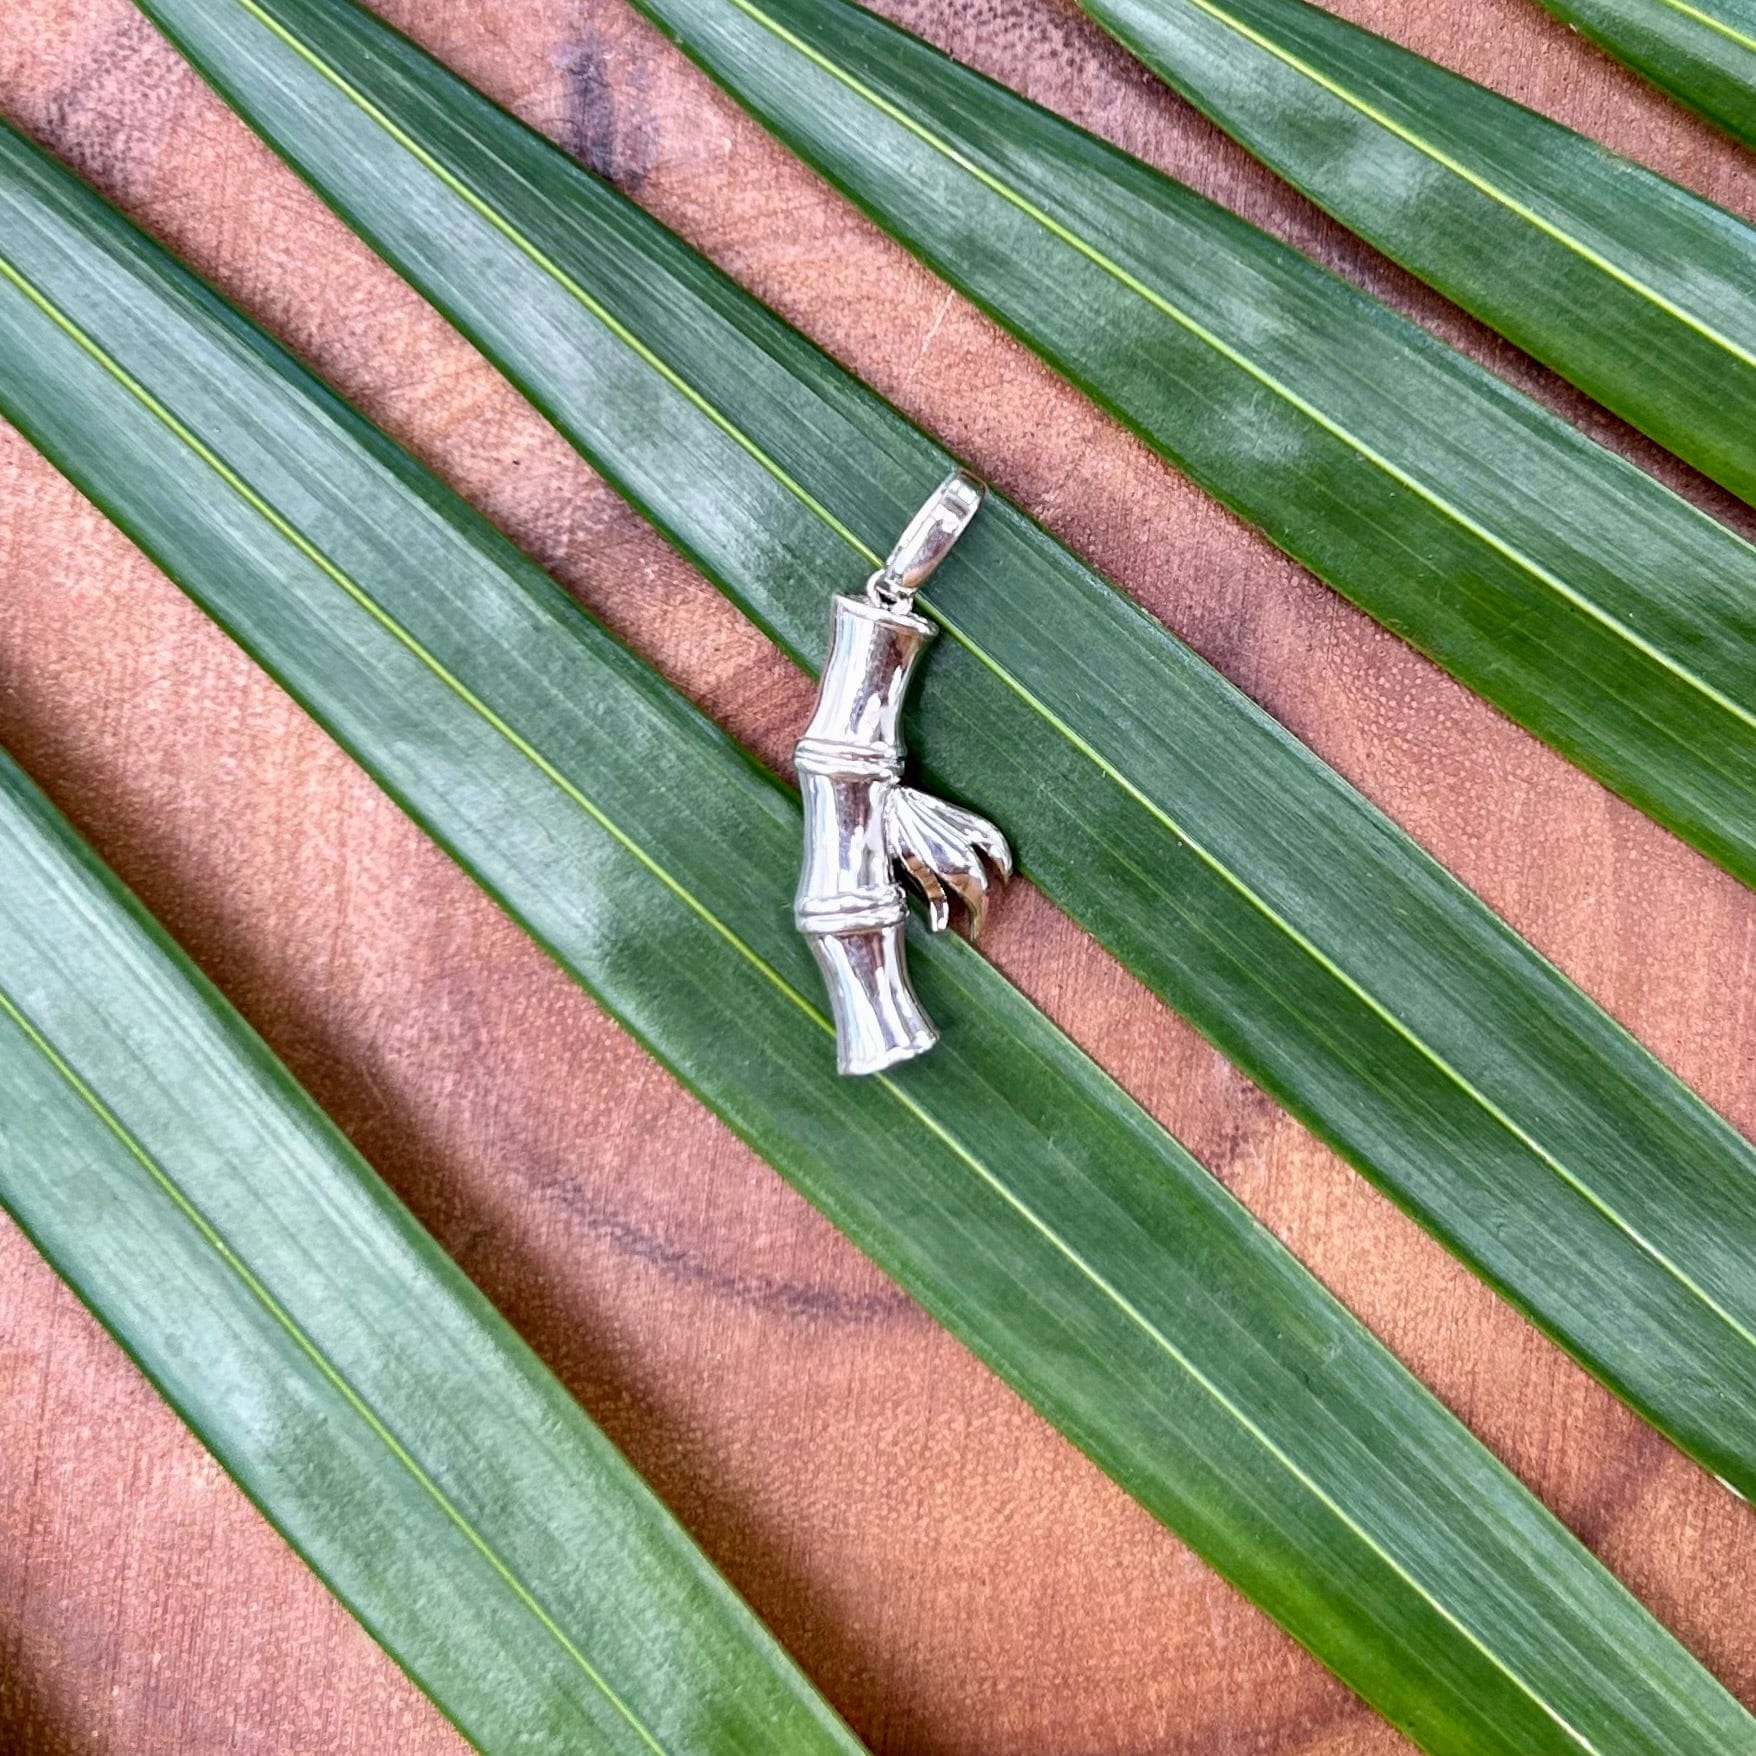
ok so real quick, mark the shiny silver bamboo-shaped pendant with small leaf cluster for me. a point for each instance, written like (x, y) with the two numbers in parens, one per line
(863, 828)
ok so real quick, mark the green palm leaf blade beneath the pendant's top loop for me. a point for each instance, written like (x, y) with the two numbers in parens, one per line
(1235, 874)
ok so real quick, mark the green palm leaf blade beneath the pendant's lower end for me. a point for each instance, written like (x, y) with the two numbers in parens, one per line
(1004, 1181)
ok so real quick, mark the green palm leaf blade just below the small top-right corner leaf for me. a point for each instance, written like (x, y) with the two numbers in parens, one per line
(1625, 284)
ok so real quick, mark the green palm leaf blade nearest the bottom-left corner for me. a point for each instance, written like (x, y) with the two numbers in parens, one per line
(349, 1378)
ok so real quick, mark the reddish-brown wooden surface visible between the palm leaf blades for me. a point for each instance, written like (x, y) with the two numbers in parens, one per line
(947, 1569)
